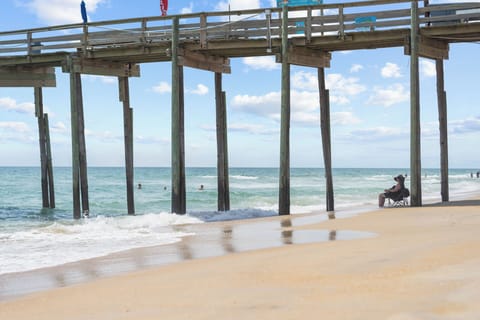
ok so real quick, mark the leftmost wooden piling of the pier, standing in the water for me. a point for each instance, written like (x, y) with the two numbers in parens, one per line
(43, 152)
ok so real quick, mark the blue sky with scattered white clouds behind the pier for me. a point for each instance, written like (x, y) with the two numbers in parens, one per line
(369, 101)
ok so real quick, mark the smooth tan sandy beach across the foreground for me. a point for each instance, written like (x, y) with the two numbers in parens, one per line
(408, 263)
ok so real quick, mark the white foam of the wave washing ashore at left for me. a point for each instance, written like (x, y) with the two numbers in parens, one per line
(67, 241)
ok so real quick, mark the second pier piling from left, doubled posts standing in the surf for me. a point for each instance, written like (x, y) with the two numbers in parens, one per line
(79, 157)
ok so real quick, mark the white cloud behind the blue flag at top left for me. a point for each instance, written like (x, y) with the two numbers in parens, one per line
(60, 11)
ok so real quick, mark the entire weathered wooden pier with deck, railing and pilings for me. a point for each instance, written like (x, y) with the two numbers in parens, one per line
(207, 41)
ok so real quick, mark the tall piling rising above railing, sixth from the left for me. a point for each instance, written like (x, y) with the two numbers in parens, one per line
(284, 178)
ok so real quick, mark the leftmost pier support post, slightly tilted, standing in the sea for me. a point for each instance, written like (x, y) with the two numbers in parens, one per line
(48, 194)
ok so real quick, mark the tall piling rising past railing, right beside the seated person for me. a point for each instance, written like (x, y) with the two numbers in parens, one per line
(415, 151)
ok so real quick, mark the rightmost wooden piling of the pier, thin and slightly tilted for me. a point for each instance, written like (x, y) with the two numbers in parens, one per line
(443, 126)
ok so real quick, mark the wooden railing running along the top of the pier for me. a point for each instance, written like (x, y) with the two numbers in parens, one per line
(202, 28)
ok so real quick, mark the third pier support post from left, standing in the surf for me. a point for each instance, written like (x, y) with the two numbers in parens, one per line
(124, 95)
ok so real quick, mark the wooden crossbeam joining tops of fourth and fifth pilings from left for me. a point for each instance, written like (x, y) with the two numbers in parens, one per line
(204, 61)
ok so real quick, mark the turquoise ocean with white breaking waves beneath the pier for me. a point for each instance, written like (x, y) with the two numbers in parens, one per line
(33, 238)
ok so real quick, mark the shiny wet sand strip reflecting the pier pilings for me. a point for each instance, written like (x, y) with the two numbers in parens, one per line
(210, 239)
